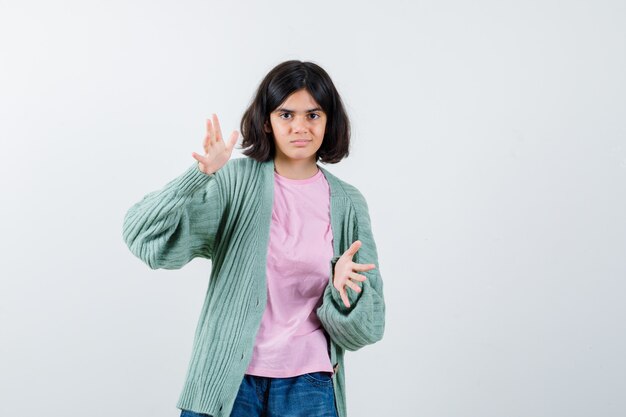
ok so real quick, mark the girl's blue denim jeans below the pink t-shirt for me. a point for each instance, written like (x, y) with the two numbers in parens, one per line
(307, 395)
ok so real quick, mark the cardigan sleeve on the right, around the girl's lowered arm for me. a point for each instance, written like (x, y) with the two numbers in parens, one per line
(362, 323)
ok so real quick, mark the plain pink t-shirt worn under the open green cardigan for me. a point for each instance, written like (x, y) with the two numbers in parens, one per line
(291, 340)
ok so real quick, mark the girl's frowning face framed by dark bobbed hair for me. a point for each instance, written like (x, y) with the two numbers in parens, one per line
(298, 125)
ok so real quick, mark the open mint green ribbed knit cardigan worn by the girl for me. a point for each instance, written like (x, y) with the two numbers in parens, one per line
(225, 217)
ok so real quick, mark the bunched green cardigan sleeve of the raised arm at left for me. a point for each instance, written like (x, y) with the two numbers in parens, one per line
(171, 226)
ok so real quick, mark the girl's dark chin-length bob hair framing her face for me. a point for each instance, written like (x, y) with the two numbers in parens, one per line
(282, 81)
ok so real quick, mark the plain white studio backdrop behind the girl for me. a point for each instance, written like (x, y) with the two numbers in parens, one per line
(489, 139)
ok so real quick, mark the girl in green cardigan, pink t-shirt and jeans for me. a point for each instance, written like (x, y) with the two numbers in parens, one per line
(294, 280)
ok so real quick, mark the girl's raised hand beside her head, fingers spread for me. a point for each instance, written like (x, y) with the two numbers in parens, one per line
(216, 152)
